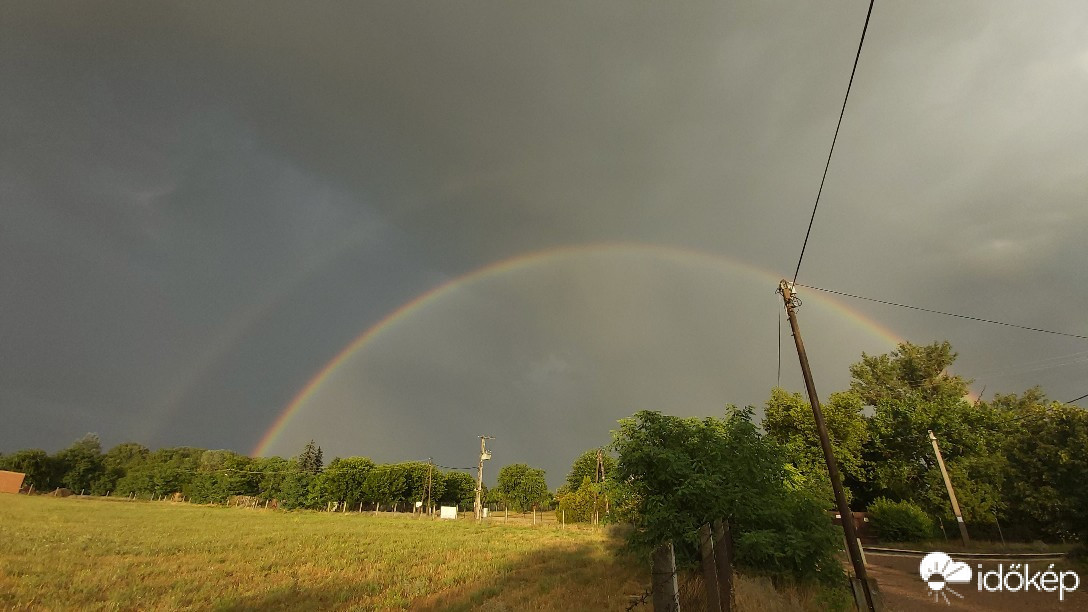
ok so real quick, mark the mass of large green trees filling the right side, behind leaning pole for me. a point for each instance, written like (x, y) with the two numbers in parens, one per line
(1018, 459)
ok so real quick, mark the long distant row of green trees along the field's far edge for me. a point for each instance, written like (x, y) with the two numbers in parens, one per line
(304, 482)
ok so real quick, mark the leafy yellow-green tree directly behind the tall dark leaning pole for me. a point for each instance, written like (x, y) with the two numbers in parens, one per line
(789, 422)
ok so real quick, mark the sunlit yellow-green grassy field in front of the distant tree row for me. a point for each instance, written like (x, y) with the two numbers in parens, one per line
(93, 554)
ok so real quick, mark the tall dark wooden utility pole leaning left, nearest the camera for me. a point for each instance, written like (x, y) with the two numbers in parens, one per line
(854, 547)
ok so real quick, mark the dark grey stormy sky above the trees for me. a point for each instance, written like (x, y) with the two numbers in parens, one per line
(406, 225)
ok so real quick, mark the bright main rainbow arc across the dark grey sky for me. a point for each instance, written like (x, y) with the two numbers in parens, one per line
(521, 263)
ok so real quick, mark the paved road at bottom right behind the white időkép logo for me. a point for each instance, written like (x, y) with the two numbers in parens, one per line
(904, 590)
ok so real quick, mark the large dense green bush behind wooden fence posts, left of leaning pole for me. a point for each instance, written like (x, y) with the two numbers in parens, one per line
(684, 473)
